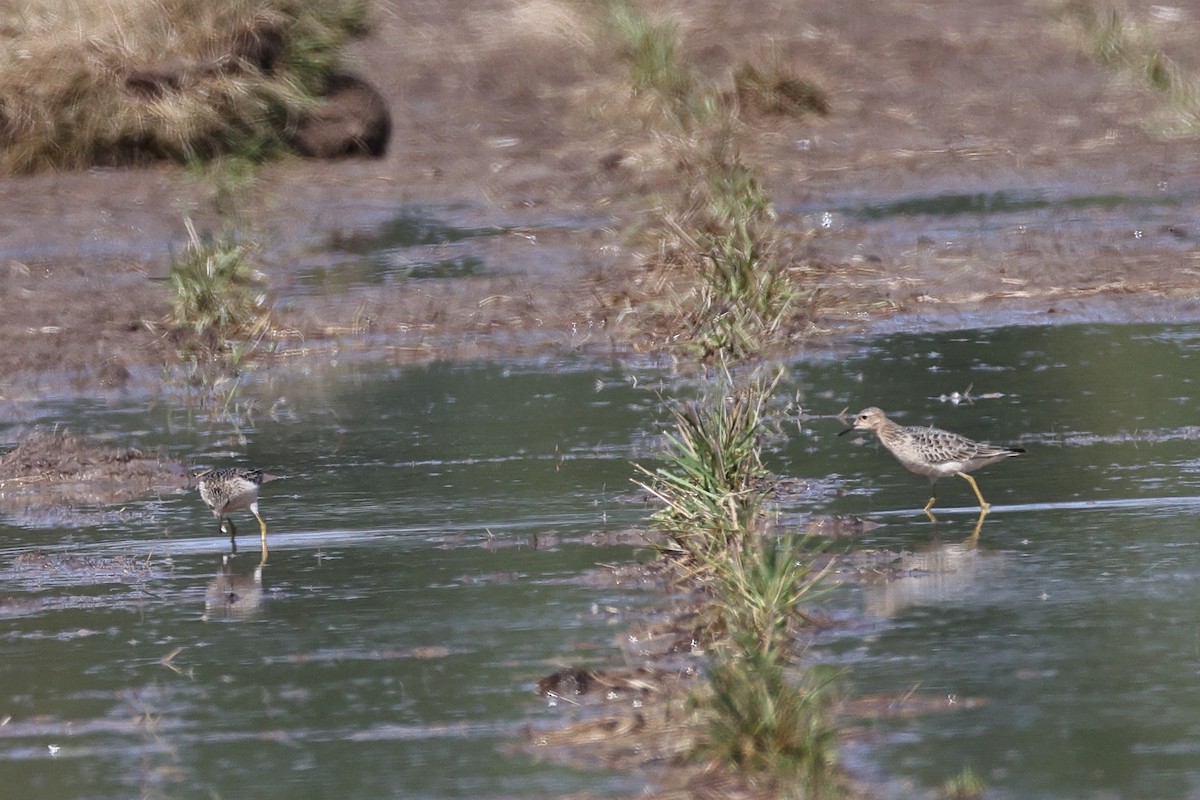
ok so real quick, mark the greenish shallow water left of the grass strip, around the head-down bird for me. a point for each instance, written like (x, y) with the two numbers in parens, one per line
(425, 570)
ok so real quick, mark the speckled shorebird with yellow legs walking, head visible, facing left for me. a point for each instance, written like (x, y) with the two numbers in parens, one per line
(933, 453)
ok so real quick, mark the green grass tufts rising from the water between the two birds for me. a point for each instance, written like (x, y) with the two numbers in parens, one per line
(758, 714)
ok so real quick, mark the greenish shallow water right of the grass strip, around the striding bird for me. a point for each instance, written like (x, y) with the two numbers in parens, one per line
(1067, 641)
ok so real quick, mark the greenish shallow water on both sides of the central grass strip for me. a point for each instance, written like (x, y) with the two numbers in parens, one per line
(434, 544)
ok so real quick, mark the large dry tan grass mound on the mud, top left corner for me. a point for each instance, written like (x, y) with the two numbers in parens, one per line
(127, 82)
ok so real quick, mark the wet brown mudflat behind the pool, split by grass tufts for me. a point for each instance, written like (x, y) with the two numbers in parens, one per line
(512, 113)
